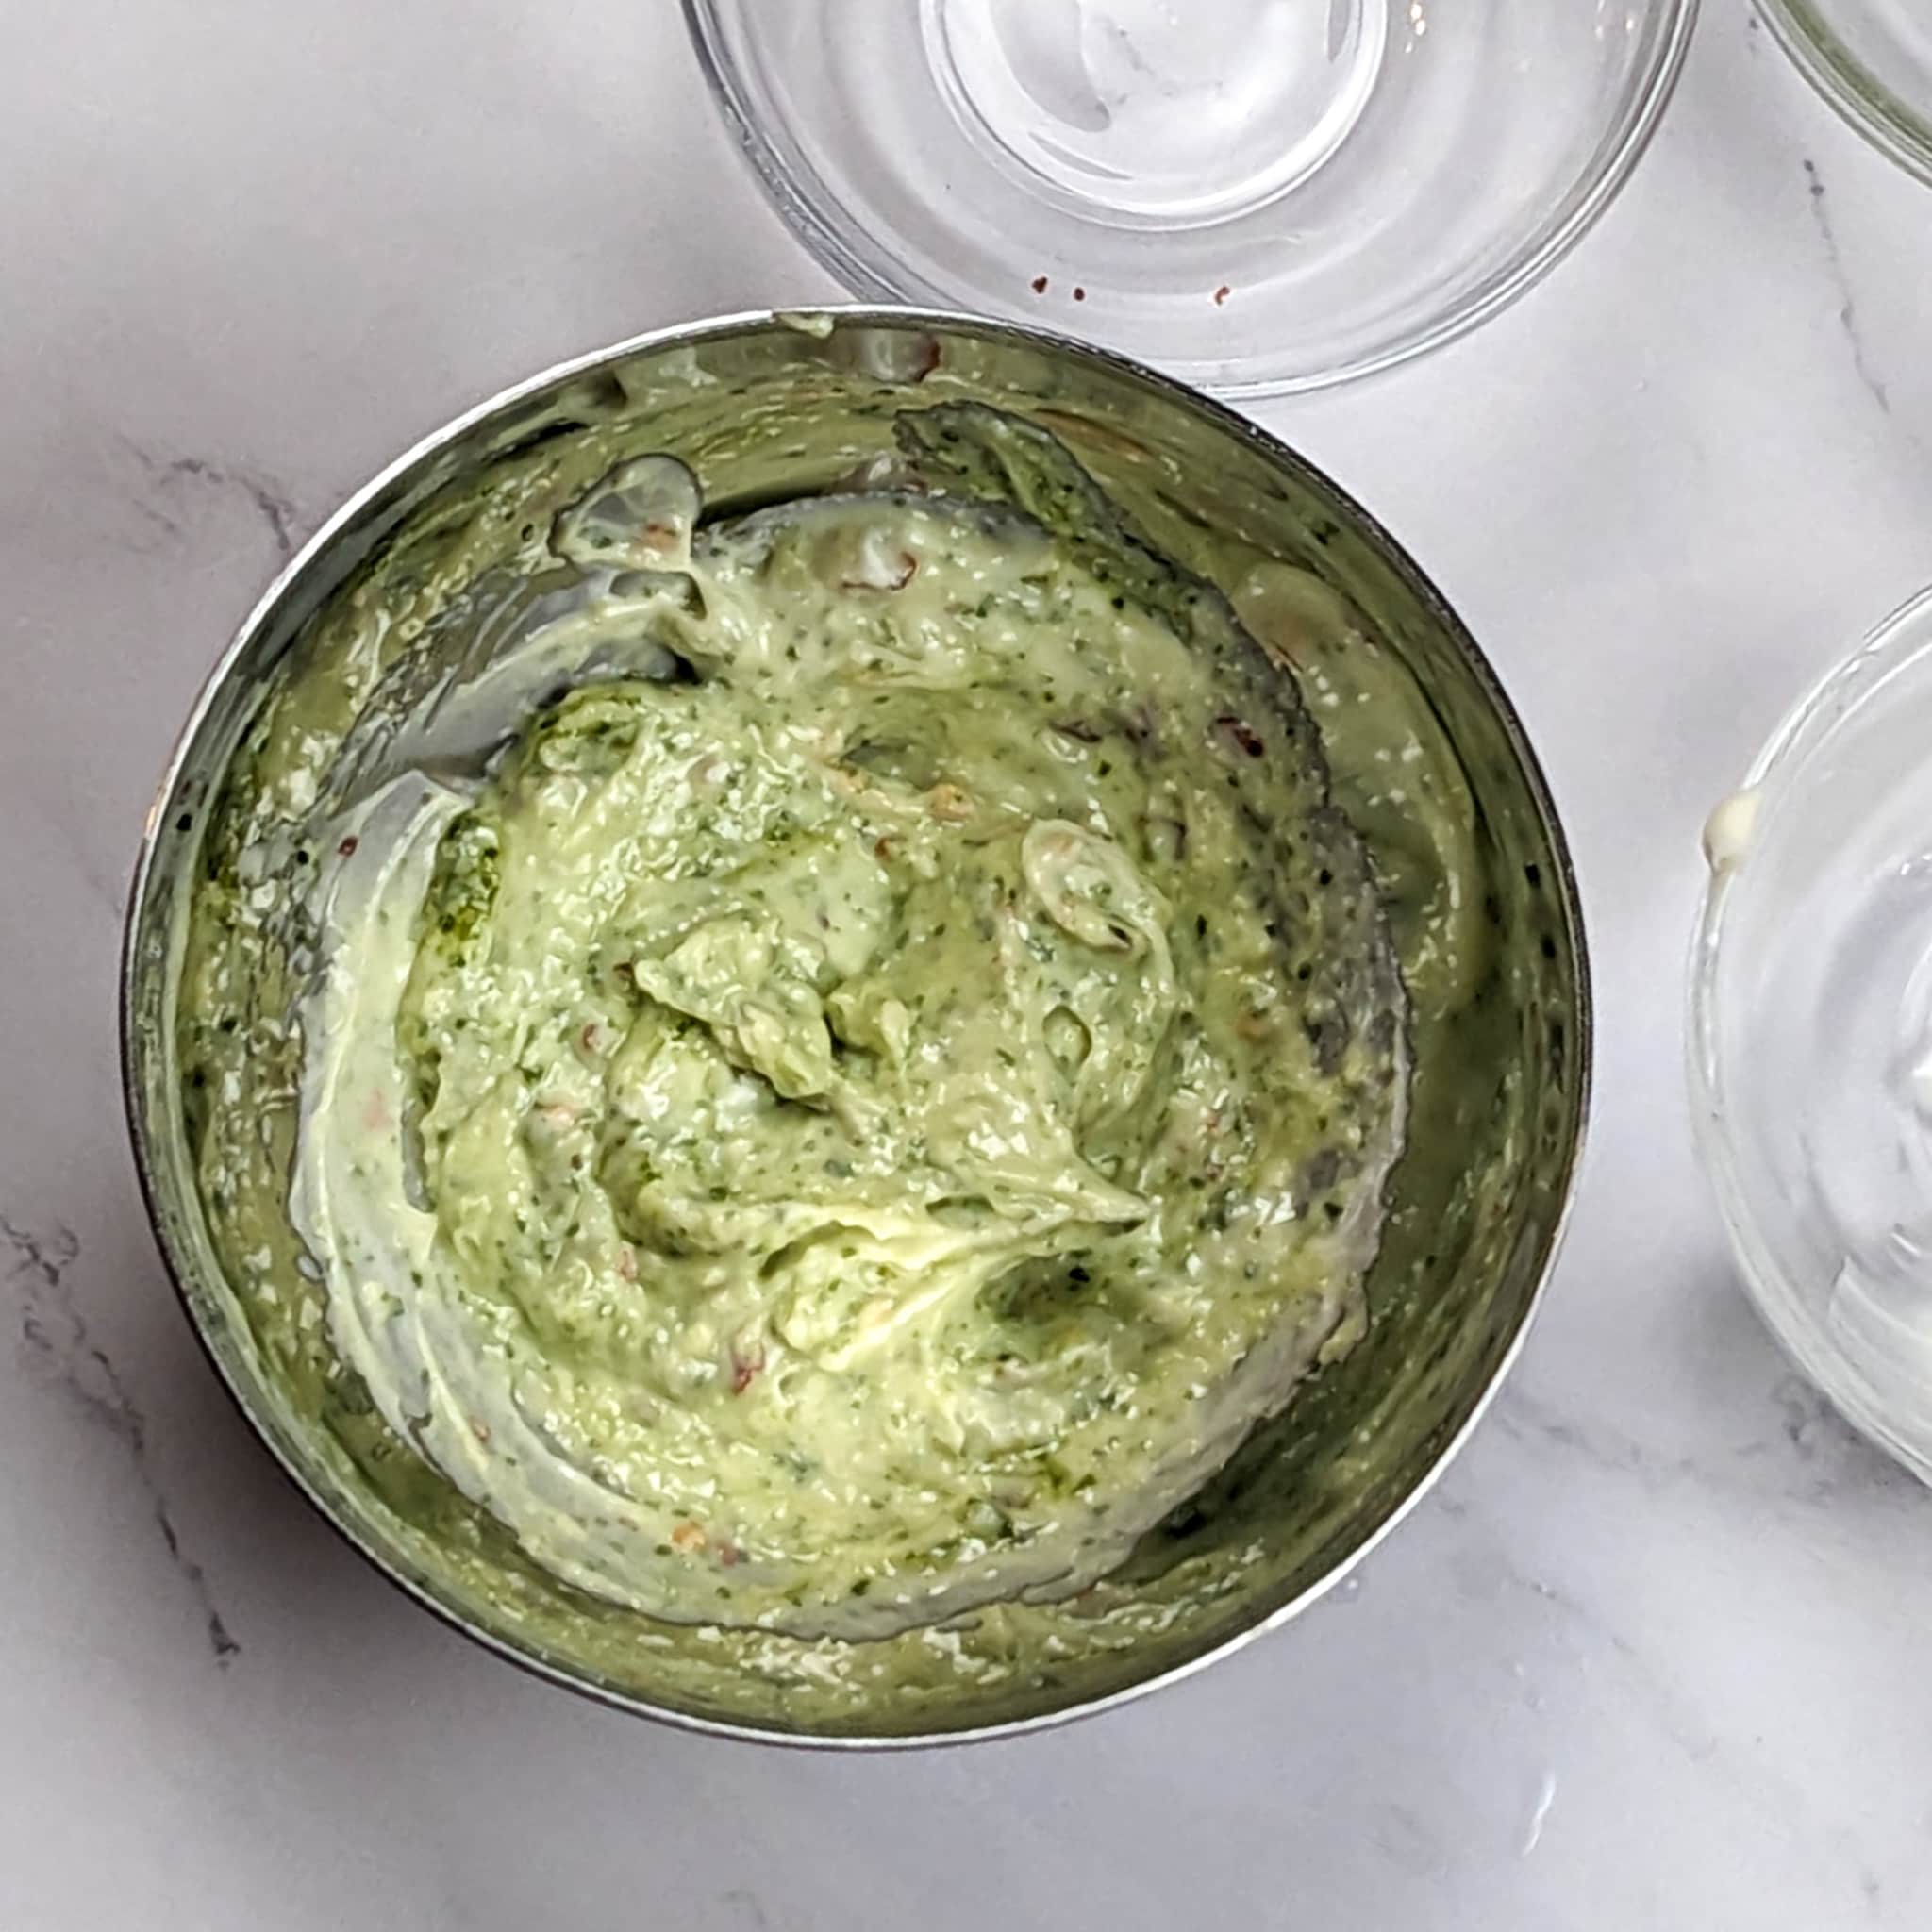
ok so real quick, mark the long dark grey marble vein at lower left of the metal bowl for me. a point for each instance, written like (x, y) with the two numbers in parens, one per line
(57, 1346)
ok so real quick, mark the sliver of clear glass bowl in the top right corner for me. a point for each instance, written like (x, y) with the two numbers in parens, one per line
(1873, 61)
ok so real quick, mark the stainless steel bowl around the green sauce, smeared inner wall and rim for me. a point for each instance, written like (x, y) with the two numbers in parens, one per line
(774, 407)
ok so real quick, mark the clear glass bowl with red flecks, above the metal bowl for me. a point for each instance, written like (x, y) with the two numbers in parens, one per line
(1259, 196)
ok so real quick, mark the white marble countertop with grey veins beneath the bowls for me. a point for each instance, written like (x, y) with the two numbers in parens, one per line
(1651, 1657)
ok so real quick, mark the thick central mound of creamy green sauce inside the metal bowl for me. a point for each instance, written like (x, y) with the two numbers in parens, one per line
(859, 1123)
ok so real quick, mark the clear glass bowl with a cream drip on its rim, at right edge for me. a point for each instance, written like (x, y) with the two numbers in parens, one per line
(1811, 1035)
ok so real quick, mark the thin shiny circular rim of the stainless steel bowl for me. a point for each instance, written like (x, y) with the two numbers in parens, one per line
(894, 318)
